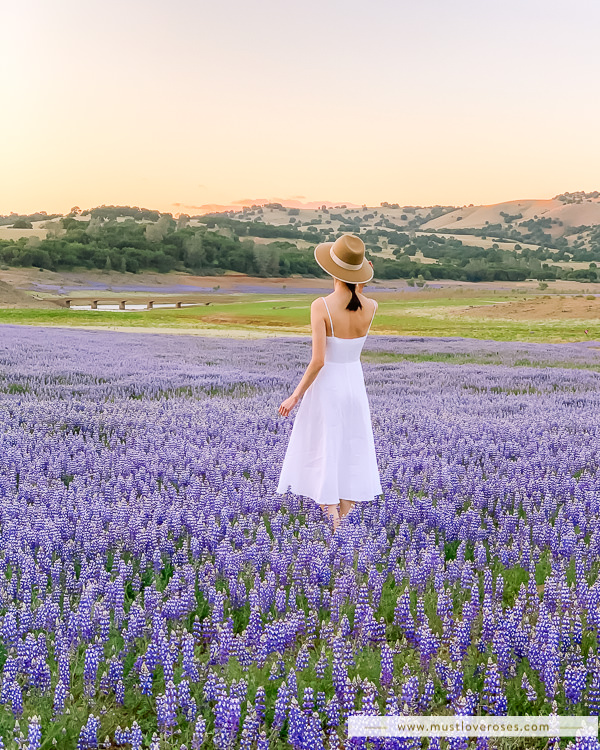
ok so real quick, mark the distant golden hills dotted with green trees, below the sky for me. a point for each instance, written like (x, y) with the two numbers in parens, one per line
(540, 239)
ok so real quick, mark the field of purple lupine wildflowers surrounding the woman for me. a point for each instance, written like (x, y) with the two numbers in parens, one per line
(155, 591)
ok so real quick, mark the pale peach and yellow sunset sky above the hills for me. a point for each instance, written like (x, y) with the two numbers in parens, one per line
(188, 103)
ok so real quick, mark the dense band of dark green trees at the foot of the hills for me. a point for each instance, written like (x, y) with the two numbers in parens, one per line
(219, 245)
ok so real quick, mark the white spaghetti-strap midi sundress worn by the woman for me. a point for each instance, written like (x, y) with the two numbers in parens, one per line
(331, 451)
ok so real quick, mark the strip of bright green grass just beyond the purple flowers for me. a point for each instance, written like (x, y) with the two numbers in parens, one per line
(421, 316)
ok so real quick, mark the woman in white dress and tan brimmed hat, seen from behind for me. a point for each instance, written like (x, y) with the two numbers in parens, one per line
(331, 453)
